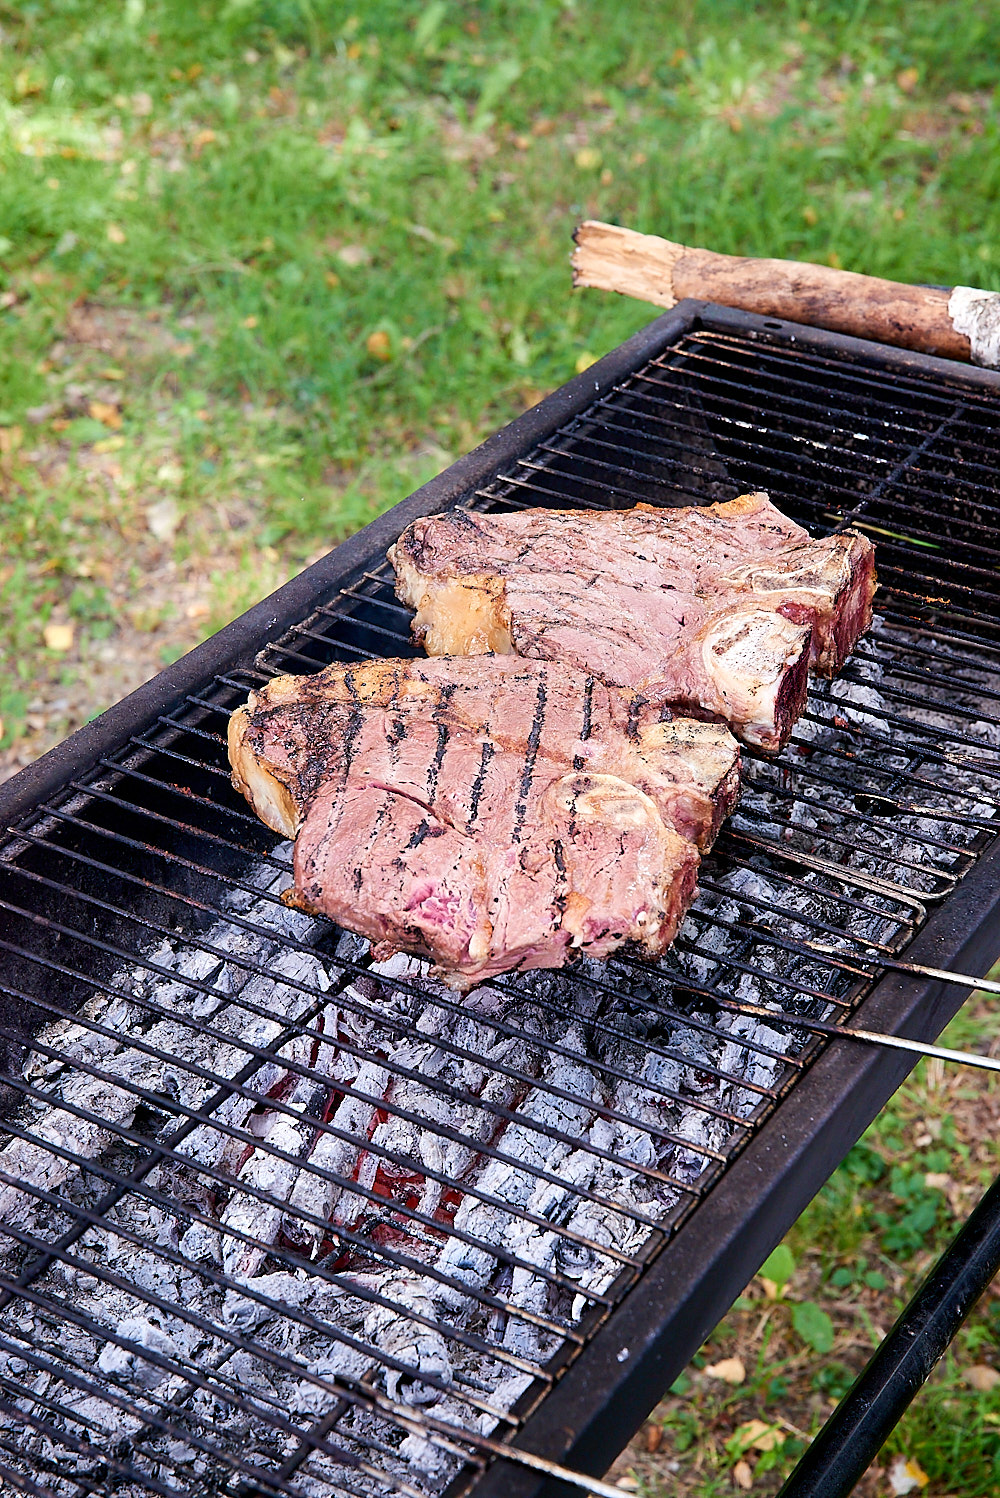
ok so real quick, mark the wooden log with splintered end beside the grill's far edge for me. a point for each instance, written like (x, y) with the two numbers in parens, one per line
(957, 324)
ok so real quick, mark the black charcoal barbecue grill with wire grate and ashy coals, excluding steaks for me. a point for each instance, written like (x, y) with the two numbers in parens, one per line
(279, 1220)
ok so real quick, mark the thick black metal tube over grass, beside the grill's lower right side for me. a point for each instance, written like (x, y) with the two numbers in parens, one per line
(863, 1421)
